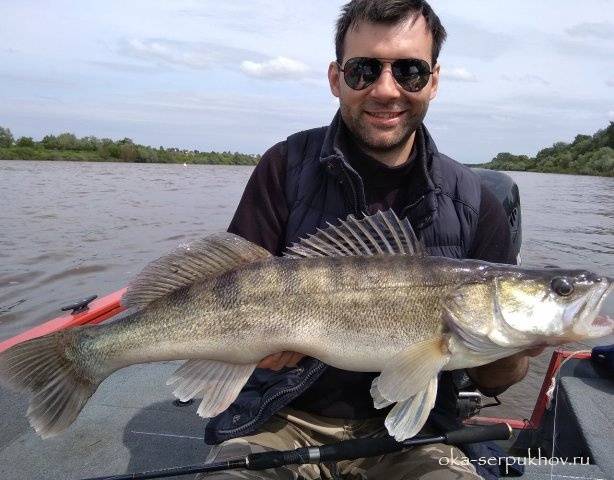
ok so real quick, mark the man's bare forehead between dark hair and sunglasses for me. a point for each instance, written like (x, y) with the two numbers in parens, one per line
(410, 37)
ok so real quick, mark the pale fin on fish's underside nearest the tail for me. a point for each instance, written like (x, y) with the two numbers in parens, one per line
(219, 382)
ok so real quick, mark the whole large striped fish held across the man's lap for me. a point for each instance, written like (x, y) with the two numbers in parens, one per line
(360, 296)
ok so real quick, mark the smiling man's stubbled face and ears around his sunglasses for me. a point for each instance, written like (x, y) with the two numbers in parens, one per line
(384, 116)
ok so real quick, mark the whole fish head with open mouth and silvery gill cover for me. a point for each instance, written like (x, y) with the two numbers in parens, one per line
(514, 307)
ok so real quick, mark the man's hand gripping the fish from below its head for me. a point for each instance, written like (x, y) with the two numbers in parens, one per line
(496, 377)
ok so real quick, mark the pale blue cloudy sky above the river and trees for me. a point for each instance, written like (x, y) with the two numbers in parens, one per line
(243, 75)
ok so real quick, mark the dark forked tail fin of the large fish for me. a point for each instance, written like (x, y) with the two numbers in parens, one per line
(59, 389)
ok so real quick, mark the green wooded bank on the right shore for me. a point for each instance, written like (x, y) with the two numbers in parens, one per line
(586, 155)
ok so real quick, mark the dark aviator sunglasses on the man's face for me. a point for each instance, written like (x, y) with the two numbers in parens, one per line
(412, 74)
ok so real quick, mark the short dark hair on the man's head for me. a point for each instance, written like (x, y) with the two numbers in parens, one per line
(388, 12)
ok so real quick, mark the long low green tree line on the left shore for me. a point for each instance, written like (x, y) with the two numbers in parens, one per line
(66, 146)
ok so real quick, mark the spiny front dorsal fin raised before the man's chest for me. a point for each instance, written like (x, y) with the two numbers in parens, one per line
(382, 233)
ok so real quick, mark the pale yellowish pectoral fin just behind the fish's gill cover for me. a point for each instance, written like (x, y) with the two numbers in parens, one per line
(411, 370)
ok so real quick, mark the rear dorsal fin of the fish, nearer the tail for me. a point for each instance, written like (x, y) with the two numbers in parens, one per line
(205, 258)
